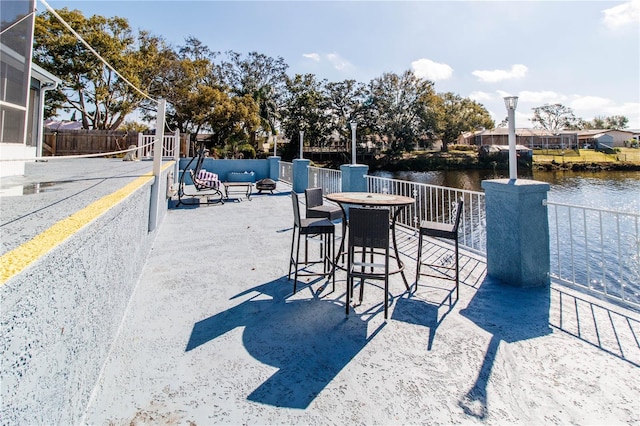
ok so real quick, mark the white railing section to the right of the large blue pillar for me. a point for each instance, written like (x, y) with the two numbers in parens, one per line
(597, 250)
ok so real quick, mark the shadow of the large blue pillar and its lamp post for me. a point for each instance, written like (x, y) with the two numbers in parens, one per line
(510, 314)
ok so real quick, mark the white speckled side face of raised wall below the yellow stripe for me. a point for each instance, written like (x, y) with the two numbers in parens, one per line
(60, 316)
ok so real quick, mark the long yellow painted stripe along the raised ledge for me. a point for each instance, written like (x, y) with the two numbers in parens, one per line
(16, 260)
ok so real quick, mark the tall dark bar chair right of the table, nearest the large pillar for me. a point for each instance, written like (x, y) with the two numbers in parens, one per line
(444, 231)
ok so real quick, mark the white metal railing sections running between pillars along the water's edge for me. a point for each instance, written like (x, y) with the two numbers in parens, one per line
(597, 250)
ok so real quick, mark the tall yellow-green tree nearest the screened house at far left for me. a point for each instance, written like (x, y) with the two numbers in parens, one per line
(90, 87)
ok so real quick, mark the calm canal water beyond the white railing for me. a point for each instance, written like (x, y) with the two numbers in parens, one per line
(600, 266)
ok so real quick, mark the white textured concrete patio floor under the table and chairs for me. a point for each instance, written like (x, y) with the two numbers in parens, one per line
(214, 335)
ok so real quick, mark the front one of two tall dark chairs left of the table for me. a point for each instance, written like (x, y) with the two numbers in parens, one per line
(311, 227)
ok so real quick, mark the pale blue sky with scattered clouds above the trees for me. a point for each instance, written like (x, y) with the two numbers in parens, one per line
(582, 54)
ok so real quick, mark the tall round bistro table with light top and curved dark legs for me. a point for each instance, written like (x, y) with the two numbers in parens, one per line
(373, 199)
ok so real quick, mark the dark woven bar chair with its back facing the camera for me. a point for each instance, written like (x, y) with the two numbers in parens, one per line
(369, 240)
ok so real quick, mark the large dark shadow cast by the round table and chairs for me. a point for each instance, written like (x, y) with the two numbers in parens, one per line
(308, 340)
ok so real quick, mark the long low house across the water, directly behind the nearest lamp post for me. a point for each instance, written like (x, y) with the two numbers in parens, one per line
(530, 138)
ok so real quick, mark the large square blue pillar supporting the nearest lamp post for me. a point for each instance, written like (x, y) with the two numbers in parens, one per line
(518, 250)
